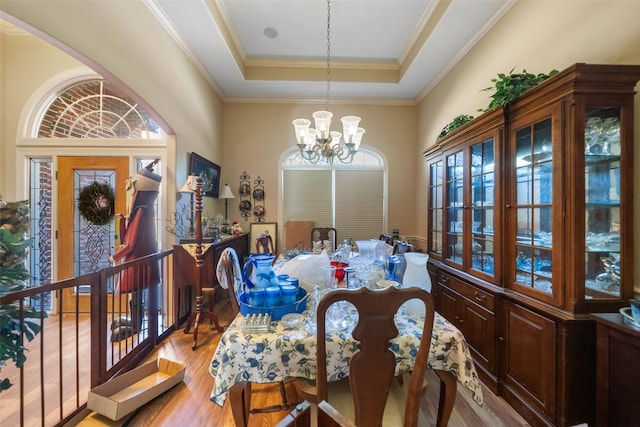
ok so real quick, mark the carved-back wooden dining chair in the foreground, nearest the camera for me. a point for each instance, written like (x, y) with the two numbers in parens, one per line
(372, 384)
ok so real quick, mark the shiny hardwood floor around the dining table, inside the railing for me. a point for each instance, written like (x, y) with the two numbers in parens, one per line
(188, 403)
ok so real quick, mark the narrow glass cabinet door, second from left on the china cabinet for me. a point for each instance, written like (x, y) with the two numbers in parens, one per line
(454, 187)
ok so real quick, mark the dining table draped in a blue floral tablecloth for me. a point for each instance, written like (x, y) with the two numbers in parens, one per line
(284, 352)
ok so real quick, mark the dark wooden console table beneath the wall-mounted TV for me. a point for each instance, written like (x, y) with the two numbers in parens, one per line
(184, 267)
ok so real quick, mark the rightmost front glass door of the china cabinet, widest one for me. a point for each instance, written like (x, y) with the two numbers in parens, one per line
(534, 206)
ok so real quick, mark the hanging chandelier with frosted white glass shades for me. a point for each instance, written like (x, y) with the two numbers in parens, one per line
(320, 143)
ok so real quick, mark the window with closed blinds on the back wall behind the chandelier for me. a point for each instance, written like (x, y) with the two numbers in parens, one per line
(351, 198)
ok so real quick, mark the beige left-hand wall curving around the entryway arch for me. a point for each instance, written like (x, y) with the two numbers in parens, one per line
(129, 47)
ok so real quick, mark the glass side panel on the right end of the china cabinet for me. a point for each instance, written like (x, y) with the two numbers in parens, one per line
(602, 203)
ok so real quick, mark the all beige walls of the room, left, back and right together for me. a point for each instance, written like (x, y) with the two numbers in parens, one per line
(130, 46)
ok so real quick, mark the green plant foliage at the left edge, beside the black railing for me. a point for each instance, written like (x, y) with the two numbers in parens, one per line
(14, 226)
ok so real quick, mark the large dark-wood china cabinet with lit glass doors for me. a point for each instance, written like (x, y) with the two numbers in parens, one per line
(530, 229)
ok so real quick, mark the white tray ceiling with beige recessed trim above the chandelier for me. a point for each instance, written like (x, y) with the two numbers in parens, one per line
(381, 50)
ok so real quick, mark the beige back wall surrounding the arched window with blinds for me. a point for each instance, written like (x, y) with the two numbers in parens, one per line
(257, 135)
